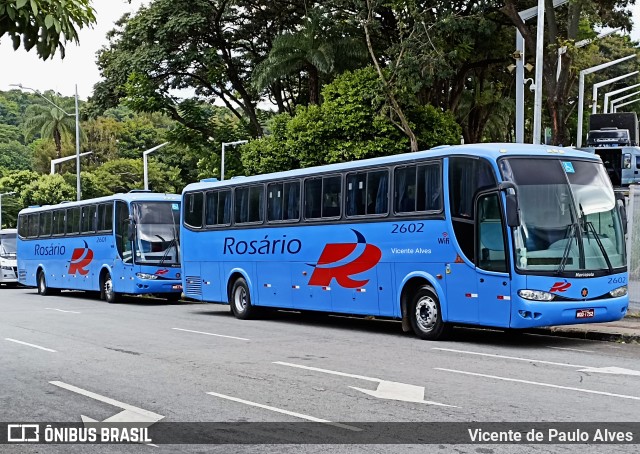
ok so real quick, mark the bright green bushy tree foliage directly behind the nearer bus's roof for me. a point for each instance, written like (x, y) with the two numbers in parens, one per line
(350, 124)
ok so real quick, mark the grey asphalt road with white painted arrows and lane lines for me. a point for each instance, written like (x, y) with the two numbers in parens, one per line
(72, 355)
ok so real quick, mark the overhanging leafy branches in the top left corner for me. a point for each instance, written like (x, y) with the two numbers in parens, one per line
(44, 24)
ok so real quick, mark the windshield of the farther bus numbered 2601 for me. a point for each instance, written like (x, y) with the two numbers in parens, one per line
(157, 227)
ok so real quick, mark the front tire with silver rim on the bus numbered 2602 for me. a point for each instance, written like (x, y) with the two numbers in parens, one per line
(425, 315)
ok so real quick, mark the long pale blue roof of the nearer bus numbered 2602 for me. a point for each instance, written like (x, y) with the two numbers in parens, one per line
(491, 151)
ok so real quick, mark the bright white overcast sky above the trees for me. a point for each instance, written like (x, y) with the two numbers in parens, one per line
(79, 67)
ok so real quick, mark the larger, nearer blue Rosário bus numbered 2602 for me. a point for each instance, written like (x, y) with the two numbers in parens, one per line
(500, 235)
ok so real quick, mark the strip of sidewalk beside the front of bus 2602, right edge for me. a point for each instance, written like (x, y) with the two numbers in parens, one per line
(626, 330)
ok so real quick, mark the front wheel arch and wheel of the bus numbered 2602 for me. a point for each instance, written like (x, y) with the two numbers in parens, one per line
(422, 309)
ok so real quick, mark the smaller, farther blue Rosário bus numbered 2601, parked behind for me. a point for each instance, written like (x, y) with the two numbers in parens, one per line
(121, 244)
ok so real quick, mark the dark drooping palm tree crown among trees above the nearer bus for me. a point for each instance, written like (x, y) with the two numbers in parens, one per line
(311, 49)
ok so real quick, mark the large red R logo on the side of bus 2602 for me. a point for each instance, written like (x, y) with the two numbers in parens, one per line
(326, 268)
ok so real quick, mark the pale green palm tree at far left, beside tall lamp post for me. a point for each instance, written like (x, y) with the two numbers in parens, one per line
(50, 122)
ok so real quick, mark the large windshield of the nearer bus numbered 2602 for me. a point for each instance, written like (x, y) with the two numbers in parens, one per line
(569, 218)
